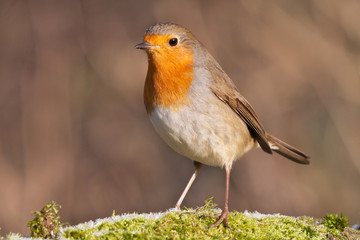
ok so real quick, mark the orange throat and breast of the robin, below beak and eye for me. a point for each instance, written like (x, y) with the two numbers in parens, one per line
(169, 77)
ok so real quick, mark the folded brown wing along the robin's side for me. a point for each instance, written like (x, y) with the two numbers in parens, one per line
(226, 91)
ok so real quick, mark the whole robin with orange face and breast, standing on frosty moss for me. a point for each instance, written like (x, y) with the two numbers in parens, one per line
(196, 108)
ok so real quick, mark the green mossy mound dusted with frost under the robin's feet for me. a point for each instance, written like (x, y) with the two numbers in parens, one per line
(191, 224)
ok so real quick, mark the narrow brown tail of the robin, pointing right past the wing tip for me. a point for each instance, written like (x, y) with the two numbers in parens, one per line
(287, 151)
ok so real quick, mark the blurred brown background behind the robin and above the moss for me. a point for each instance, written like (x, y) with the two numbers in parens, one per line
(73, 127)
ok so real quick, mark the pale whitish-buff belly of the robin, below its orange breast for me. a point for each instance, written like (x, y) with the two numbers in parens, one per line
(211, 134)
